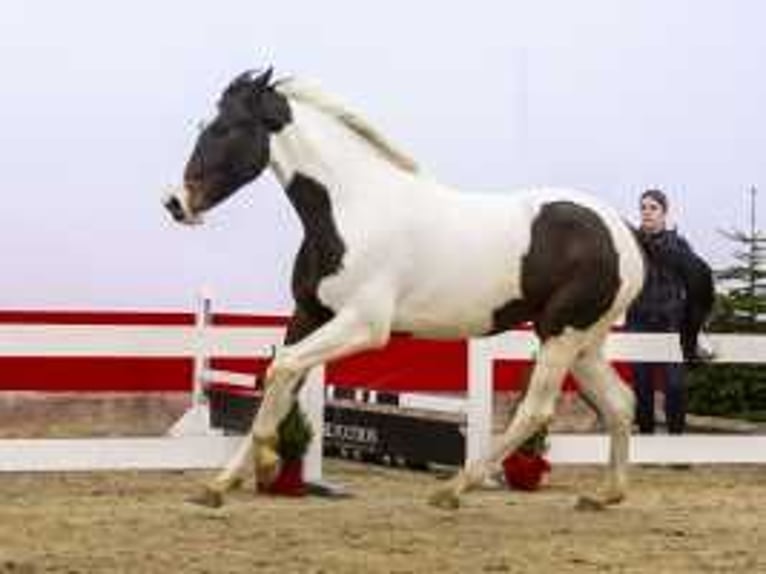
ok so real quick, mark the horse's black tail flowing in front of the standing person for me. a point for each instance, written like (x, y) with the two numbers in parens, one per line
(697, 279)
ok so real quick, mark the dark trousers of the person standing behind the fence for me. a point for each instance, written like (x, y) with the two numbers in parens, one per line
(672, 375)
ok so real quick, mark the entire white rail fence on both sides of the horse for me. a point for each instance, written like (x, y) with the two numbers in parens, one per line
(202, 341)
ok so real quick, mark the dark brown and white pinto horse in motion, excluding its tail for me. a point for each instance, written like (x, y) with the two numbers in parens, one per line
(388, 248)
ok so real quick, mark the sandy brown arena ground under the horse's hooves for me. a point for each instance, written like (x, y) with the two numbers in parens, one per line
(701, 520)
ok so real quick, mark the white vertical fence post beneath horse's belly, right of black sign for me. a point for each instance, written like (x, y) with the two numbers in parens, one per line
(479, 409)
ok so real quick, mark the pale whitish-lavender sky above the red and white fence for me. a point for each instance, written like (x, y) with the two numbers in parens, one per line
(100, 101)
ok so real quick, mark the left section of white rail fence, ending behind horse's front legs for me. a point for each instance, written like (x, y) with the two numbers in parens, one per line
(190, 445)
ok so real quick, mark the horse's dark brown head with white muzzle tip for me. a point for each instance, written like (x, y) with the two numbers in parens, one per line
(233, 149)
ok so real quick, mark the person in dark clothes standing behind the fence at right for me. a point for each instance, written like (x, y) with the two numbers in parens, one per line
(659, 308)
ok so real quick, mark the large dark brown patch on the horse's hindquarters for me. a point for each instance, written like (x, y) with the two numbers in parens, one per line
(570, 275)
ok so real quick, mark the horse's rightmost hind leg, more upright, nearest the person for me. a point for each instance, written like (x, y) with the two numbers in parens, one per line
(601, 384)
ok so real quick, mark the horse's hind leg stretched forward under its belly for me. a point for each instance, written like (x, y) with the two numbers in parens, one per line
(536, 409)
